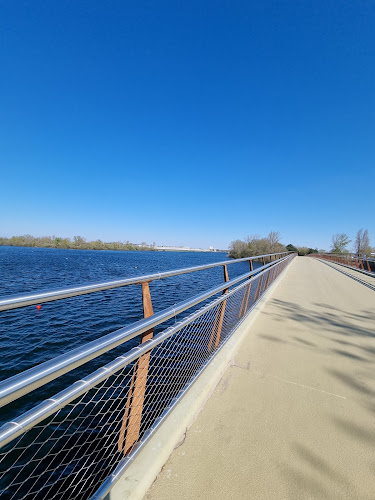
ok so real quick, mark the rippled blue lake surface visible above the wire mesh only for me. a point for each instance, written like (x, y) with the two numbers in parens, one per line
(29, 337)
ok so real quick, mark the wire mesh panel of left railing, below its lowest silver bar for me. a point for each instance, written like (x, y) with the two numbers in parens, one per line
(69, 454)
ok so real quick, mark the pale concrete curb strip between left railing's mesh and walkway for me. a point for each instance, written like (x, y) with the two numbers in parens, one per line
(146, 466)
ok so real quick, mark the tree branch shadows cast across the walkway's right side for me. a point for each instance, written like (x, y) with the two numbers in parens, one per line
(348, 340)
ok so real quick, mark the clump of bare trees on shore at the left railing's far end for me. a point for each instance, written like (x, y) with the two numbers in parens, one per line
(256, 245)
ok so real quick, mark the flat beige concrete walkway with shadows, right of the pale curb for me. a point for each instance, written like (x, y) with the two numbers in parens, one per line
(294, 417)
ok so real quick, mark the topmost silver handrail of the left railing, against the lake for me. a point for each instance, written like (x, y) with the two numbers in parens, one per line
(23, 300)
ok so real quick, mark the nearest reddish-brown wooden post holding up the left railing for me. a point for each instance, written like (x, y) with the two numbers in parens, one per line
(131, 423)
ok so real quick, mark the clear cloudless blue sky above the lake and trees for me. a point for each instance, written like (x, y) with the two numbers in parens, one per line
(194, 122)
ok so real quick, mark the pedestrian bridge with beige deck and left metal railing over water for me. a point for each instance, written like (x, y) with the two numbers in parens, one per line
(265, 391)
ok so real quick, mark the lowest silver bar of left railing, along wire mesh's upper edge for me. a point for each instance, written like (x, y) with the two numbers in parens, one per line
(11, 430)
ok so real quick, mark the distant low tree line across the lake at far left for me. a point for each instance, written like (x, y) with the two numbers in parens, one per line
(77, 243)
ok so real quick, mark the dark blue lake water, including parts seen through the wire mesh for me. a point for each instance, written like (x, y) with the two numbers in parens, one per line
(29, 337)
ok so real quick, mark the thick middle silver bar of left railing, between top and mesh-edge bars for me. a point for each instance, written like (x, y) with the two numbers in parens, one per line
(29, 380)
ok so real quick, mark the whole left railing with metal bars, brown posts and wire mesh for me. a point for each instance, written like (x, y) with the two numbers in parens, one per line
(75, 444)
